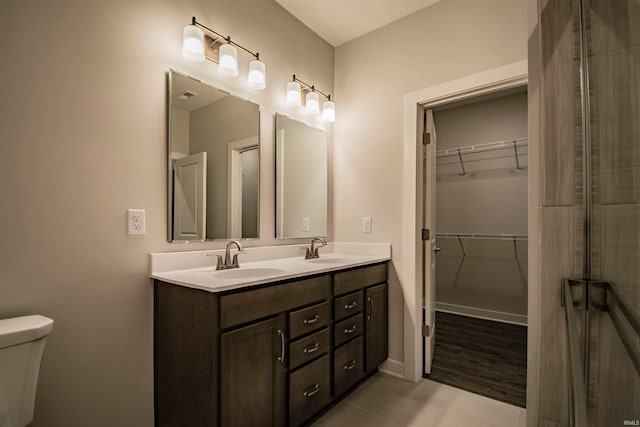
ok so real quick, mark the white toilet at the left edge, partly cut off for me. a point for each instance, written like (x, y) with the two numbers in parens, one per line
(22, 342)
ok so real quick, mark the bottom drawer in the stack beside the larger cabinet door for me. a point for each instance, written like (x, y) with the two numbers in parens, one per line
(309, 391)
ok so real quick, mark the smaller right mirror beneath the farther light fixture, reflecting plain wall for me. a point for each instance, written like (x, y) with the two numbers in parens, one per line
(301, 179)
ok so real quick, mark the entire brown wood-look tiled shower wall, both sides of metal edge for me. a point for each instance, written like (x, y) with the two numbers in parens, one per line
(614, 43)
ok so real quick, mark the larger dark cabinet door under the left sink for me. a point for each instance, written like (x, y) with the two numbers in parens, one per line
(252, 370)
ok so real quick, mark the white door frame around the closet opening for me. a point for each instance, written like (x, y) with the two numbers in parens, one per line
(493, 80)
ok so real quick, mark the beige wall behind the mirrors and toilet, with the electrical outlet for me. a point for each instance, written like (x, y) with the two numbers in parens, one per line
(83, 138)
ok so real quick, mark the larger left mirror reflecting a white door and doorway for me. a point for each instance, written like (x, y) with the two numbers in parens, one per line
(213, 157)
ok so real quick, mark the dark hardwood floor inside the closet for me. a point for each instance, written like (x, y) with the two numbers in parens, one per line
(481, 356)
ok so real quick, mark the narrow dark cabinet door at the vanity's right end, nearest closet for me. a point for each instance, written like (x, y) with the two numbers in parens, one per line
(376, 328)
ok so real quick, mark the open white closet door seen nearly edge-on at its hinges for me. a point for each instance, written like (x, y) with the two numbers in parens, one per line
(429, 239)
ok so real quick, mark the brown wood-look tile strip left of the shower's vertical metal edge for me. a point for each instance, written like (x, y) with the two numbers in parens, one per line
(560, 214)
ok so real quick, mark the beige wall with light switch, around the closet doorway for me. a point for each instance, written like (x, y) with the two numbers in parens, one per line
(446, 41)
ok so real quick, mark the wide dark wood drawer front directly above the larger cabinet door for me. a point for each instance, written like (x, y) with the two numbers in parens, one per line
(246, 306)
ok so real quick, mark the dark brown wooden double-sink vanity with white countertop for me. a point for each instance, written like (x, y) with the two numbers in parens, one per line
(276, 351)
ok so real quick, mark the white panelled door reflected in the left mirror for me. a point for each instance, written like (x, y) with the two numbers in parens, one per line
(189, 195)
